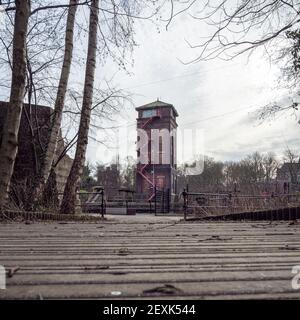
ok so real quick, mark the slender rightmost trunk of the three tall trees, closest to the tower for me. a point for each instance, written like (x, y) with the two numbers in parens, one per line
(69, 198)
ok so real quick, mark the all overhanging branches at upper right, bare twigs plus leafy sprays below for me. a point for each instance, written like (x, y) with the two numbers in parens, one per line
(242, 26)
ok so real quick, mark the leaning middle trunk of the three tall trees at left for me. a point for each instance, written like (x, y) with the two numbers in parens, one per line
(59, 105)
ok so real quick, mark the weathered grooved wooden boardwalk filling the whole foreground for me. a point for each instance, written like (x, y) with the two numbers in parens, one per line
(150, 257)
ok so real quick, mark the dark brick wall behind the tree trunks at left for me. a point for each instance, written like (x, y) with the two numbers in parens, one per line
(33, 136)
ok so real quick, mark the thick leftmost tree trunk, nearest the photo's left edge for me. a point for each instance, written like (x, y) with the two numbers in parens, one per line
(9, 143)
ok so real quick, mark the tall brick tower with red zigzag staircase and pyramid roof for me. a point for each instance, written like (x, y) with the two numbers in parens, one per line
(157, 174)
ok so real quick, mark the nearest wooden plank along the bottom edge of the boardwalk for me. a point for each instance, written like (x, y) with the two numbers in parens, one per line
(203, 289)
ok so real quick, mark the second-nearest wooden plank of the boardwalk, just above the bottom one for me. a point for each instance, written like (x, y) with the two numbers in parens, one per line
(147, 277)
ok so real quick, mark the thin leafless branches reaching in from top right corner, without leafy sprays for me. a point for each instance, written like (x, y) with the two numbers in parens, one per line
(240, 26)
